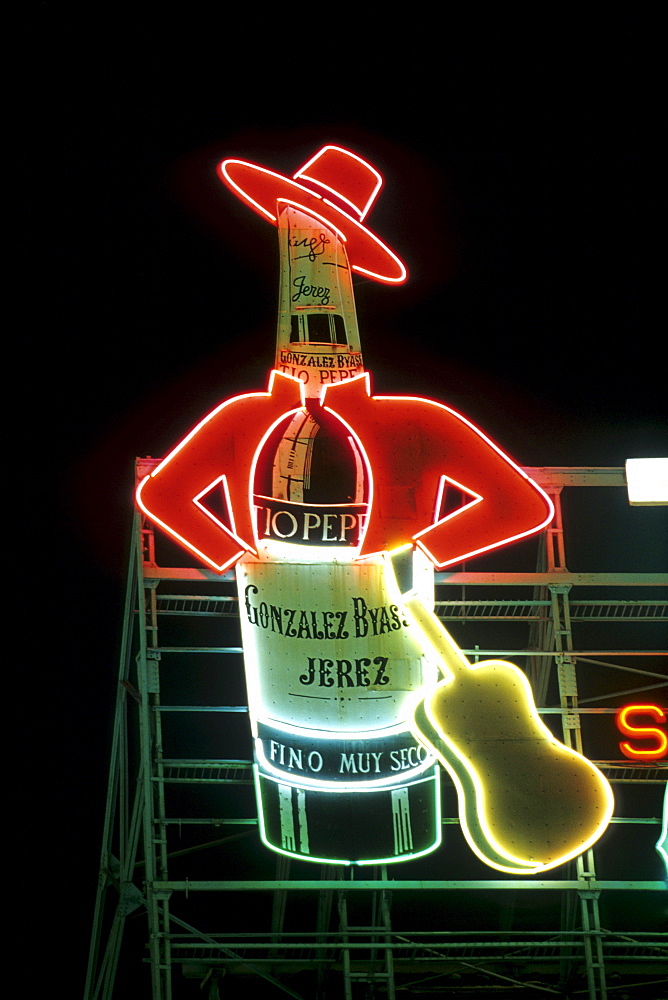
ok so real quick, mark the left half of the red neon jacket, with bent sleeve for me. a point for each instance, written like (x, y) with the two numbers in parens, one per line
(220, 449)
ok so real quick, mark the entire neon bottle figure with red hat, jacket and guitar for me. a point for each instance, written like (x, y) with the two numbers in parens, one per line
(322, 485)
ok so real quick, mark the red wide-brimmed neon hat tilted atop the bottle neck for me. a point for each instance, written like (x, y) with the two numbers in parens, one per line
(335, 185)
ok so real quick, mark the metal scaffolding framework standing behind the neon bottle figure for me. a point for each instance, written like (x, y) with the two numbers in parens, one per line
(180, 848)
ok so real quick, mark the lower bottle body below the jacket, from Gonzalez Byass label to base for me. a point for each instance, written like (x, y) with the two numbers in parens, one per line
(332, 671)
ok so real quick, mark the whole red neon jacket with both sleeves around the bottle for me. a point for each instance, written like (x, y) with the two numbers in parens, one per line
(409, 444)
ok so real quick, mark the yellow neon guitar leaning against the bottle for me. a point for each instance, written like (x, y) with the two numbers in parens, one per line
(527, 803)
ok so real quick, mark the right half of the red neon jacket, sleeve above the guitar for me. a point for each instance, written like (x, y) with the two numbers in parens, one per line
(412, 445)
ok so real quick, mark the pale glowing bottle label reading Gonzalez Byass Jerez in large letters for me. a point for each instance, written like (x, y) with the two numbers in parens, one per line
(327, 645)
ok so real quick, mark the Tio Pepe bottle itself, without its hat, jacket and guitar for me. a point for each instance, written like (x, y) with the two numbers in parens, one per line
(333, 666)
